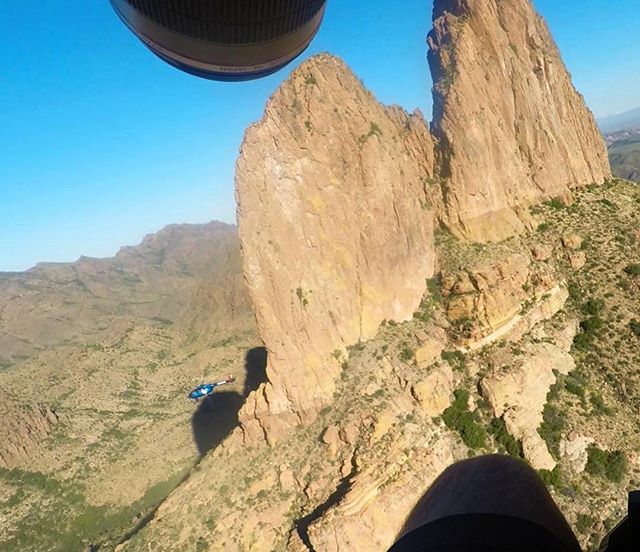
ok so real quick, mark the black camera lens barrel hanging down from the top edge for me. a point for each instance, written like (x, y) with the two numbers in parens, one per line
(228, 40)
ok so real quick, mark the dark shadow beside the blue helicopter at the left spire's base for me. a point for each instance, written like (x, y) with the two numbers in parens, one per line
(217, 417)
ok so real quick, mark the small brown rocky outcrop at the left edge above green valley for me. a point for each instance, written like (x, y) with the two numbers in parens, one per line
(22, 429)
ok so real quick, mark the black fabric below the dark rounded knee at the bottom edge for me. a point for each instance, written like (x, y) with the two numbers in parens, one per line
(480, 533)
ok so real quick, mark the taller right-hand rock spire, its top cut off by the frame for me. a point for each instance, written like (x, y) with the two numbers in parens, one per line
(512, 128)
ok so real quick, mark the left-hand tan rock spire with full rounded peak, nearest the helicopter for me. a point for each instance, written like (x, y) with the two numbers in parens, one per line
(336, 228)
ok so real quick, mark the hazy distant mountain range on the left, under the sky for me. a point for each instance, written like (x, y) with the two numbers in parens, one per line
(185, 274)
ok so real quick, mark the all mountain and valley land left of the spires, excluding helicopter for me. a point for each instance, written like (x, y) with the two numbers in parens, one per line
(96, 428)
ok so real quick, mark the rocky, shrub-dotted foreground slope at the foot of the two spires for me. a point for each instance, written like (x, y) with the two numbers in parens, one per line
(495, 322)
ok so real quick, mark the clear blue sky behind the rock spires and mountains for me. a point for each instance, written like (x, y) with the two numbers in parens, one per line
(101, 143)
